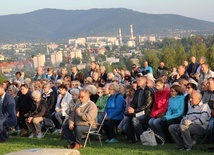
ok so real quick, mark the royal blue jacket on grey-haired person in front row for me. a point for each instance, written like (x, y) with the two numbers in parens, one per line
(115, 107)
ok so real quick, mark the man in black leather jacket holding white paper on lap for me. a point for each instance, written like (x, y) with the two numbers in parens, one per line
(139, 110)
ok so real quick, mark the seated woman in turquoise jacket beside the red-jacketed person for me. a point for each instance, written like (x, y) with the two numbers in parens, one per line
(174, 112)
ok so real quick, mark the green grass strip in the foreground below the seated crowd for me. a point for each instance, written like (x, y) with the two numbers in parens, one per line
(121, 148)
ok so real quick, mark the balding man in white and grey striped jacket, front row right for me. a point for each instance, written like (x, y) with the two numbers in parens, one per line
(194, 123)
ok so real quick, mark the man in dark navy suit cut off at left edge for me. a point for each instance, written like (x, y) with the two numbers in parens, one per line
(7, 114)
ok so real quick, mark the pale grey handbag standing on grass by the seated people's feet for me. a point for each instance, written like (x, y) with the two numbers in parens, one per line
(148, 138)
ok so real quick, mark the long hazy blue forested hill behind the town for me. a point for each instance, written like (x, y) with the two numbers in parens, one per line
(54, 25)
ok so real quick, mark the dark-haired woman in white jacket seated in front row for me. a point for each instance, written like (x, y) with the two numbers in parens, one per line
(62, 105)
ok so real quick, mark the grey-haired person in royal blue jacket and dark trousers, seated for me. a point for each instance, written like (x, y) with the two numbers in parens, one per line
(114, 109)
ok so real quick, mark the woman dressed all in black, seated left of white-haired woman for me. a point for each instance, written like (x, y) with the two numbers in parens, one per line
(24, 105)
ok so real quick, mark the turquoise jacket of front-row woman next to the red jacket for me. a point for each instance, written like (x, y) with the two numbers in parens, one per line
(175, 107)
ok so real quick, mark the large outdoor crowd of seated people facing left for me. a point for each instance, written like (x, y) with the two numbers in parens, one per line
(132, 101)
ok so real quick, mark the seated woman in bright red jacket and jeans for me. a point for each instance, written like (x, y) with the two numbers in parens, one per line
(161, 98)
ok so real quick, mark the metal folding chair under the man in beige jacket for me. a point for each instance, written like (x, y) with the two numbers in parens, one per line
(95, 132)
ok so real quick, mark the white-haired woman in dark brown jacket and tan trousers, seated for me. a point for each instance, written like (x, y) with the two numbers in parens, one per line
(36, 115)
